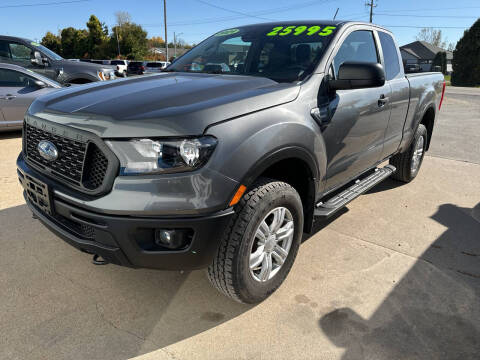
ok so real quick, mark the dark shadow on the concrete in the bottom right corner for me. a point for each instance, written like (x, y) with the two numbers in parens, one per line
(433, 312)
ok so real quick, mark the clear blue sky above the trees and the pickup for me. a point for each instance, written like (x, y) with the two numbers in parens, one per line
(195, 19)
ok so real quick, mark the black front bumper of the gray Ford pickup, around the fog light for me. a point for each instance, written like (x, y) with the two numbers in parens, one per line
(124, 240)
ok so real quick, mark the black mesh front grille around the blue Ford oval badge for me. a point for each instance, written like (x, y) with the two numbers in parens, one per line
(80, 163)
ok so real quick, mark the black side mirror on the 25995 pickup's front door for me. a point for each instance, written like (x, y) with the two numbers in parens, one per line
(358, 75)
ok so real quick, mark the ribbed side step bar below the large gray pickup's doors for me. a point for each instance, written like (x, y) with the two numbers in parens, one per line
(332, 205)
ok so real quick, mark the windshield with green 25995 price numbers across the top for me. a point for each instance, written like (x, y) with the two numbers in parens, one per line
(286, 53)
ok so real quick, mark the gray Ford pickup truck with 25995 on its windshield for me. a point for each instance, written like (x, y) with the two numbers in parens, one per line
(226, 158)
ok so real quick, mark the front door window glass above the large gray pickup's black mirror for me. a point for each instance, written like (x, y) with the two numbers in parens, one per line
(359, 46)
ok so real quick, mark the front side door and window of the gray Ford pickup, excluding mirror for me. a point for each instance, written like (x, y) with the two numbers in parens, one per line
(358, 118)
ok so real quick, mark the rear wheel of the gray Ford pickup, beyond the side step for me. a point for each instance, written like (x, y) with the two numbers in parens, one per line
(404, 162)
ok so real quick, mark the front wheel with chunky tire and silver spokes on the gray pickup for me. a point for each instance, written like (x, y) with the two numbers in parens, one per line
(230, 270)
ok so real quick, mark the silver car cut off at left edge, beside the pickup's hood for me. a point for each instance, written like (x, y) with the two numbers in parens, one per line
(18, 88)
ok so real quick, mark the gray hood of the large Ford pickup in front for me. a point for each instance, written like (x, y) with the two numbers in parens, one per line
(167, 104)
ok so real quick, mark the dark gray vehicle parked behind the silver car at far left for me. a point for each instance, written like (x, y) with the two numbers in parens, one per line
(31, 55)
